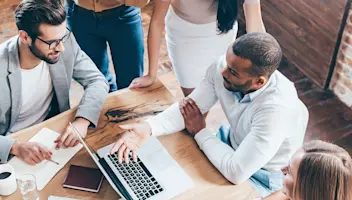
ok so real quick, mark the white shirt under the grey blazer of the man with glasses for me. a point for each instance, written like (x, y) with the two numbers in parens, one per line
(37, 93)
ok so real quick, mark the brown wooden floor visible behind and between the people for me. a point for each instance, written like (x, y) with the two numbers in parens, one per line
(330, 119)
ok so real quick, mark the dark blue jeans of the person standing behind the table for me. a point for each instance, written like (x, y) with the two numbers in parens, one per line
(121, 28)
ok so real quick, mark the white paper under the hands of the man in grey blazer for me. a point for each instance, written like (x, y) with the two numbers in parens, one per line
(45, 170)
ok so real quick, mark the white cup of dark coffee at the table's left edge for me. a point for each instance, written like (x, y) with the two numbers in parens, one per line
(9, 184)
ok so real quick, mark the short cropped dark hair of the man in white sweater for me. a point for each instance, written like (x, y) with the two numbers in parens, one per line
(262, 50)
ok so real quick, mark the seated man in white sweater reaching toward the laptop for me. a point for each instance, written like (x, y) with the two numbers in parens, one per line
(267, 119)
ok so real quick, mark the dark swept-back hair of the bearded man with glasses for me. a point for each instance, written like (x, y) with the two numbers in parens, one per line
(30, 14)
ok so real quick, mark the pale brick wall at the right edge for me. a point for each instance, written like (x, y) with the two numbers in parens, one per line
(341, 82)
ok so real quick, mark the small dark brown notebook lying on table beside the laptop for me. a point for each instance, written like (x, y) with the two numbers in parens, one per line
(83, 178)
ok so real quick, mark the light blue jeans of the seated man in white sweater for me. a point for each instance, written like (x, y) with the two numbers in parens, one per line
(263, 181)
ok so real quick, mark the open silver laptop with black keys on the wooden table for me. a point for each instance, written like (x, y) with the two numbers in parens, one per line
(155, 175)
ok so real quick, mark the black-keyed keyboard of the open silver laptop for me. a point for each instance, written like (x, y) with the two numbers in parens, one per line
(138, 177)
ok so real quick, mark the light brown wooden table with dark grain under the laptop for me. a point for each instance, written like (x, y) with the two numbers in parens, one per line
(127, 106)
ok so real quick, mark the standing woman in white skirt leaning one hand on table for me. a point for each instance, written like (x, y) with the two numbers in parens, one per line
(197, 33)
